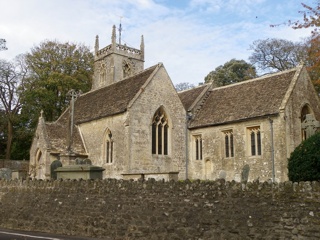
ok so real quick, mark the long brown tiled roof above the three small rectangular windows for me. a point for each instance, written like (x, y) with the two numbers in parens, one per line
(249, 99)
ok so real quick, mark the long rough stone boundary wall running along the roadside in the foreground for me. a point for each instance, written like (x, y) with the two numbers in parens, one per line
(118, 209)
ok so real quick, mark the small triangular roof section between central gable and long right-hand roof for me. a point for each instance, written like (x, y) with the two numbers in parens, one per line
(190, 96)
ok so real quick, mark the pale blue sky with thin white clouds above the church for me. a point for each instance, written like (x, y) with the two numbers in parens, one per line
(190, 37)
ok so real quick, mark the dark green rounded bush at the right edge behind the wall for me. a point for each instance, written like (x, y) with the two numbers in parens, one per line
(304, 162)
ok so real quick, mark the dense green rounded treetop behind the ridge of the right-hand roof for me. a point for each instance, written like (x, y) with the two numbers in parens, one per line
(231, 72)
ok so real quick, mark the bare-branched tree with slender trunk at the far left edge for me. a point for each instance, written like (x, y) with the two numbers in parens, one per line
(12, 77)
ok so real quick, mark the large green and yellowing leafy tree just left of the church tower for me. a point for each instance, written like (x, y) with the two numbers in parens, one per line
(55, 68)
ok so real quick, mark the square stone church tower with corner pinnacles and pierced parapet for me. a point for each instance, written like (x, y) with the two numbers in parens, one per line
(116, 62)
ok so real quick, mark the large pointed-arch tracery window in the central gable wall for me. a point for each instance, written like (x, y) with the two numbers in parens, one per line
(160, 129)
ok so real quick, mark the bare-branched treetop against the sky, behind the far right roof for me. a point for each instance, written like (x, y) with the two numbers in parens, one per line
(276, 54)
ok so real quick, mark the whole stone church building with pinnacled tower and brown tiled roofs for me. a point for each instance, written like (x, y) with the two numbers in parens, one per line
(134, 124)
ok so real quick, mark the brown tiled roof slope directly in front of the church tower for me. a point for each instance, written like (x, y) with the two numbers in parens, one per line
(110, 100)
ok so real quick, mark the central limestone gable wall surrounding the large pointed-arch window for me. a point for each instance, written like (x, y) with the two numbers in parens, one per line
(157, 93)
